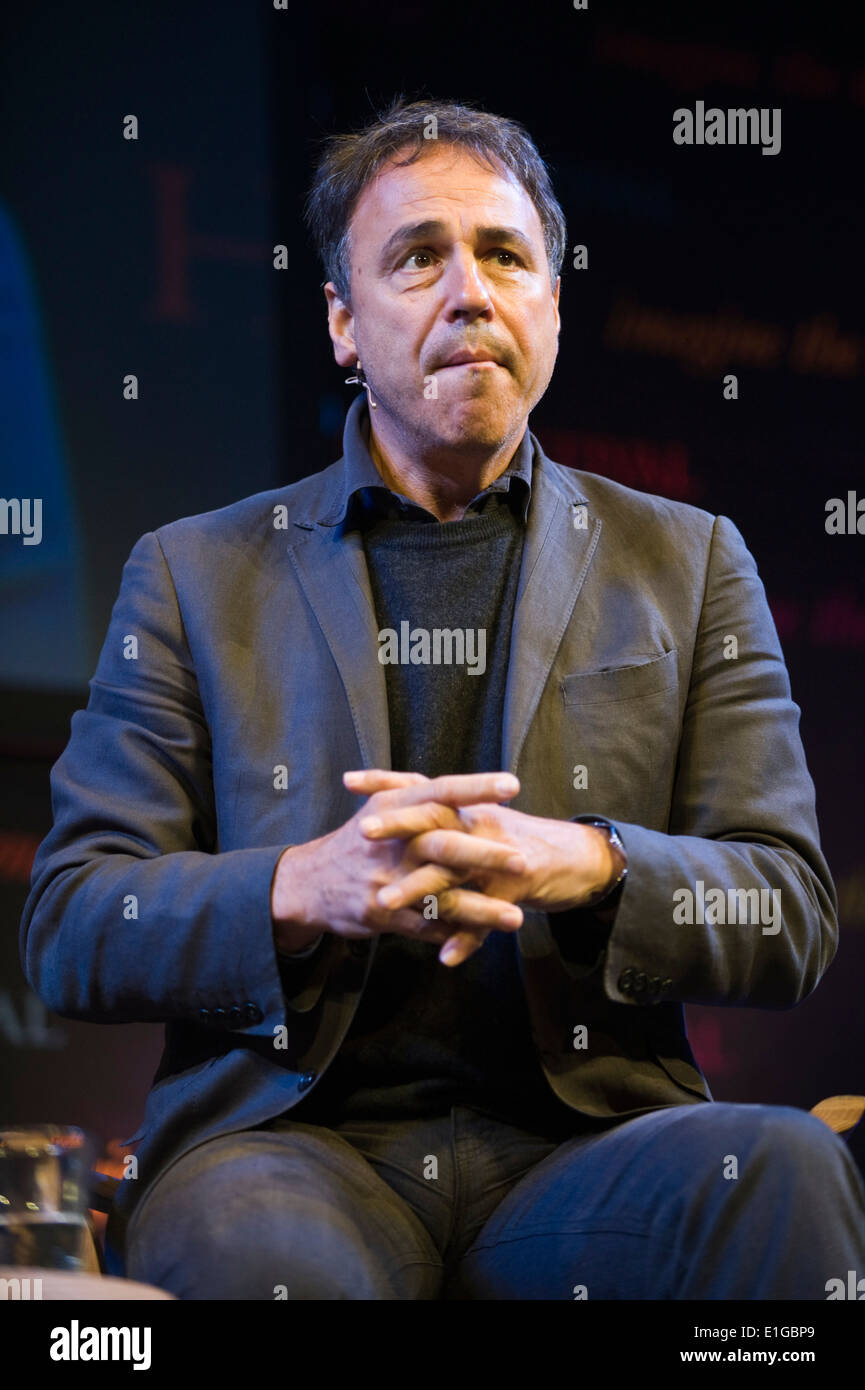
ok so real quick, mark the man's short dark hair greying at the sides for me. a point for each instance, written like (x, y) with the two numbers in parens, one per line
(351, 162)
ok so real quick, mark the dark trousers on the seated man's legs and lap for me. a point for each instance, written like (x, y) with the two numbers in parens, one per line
(692, 1202)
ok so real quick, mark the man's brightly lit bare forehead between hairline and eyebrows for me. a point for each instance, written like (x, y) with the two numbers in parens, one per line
(446, 183)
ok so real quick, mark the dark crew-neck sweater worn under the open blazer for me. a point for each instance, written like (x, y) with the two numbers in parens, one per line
(428, 1036)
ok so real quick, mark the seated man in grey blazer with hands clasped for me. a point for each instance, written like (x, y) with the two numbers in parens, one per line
(447, 694)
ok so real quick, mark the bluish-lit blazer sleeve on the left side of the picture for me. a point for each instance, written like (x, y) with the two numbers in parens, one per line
(133, 914)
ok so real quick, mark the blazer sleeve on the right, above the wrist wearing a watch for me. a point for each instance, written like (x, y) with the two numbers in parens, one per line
(743, 818)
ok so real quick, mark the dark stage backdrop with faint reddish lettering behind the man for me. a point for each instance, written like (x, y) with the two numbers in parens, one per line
(155, 256)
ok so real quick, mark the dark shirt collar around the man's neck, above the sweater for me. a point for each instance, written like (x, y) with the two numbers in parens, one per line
(366, 497)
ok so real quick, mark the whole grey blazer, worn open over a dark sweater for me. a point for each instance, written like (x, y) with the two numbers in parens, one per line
(240, 680)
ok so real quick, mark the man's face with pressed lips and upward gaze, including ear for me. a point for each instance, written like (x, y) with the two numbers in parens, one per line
(448, 258)
